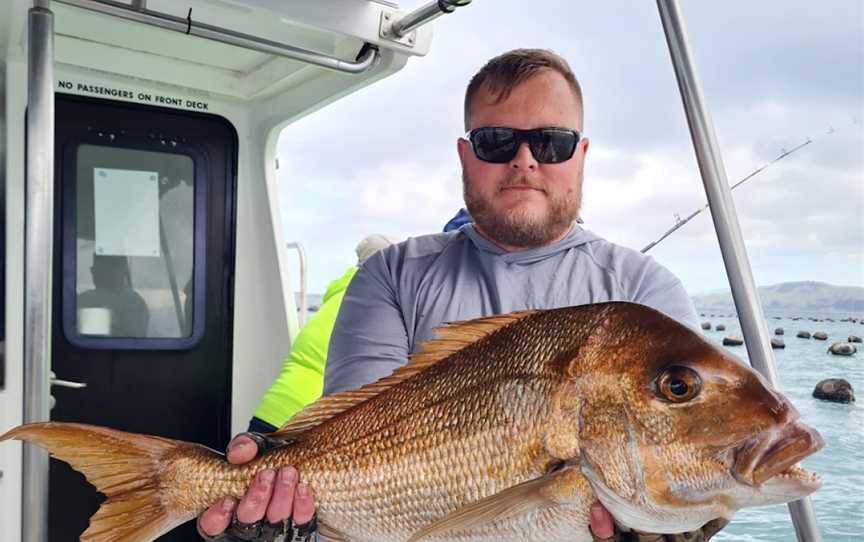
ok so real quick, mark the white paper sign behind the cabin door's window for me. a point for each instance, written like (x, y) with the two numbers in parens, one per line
(126, 208)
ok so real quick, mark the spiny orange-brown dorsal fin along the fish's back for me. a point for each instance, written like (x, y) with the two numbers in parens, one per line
(449, 338)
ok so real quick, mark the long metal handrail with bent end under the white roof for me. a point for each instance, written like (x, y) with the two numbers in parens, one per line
(138, 12)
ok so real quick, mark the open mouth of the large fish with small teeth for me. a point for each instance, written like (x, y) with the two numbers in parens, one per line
(776, 453)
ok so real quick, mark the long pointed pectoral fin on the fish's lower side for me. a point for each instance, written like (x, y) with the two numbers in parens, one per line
(514, 501)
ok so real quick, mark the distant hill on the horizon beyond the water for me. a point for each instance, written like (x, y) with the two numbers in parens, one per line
(802, 296)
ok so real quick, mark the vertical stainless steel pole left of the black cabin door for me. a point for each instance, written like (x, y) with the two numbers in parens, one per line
(37, 248)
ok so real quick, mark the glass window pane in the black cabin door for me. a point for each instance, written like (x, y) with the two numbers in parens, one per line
(133, 224)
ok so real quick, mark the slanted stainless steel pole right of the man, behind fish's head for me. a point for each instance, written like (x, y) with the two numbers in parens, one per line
(726, 225)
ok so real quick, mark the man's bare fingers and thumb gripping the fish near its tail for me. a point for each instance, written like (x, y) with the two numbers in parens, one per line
(272, 497)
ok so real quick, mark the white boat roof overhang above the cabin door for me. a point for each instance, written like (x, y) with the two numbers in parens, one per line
(106, 45)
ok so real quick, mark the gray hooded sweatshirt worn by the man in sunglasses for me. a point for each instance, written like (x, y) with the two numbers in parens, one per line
(404, 291)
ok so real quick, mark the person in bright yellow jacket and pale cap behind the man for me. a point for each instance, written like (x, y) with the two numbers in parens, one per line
(302, 378)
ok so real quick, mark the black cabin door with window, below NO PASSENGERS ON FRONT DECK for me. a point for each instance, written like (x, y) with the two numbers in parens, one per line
(143, 268)
